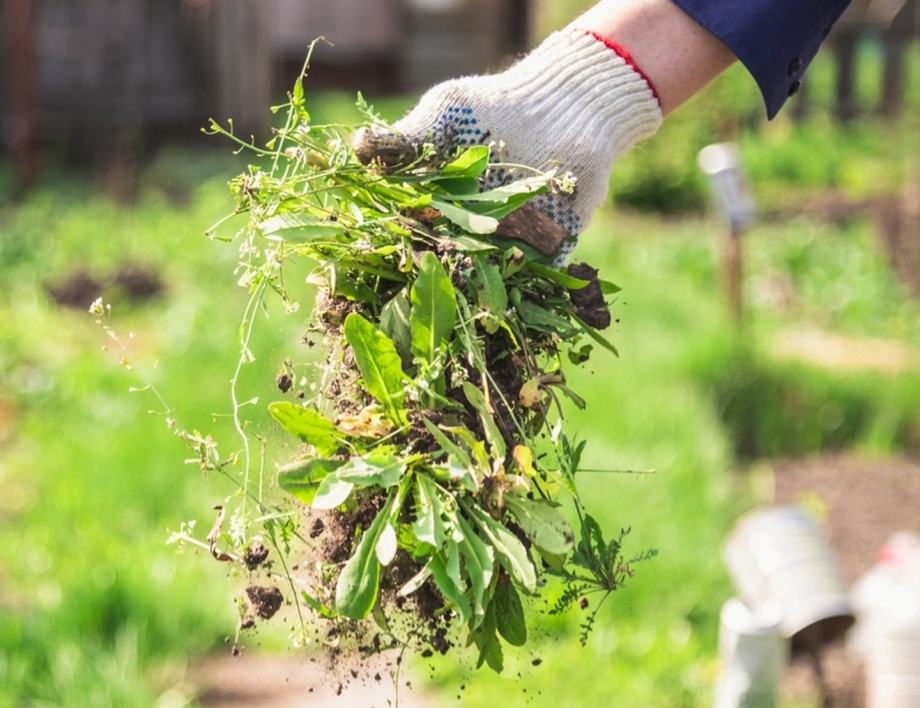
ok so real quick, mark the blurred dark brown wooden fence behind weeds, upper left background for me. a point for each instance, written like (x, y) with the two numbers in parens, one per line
(118, 72)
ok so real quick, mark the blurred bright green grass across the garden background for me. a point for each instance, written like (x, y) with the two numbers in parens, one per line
(96, 610)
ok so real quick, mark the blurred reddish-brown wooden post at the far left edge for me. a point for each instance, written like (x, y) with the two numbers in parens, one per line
(23, 80)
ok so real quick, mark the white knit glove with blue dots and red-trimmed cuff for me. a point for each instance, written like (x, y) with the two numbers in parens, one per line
(574, 103)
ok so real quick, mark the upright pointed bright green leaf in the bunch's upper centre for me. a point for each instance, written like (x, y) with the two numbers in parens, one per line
(434, 309)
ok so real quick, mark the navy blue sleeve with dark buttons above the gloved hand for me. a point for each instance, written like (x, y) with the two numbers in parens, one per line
(775, 39)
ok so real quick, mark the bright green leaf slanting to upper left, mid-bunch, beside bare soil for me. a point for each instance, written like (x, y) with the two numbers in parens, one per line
(379, 364)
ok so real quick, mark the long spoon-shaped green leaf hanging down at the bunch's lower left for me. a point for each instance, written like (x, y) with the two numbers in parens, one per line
(359, 582)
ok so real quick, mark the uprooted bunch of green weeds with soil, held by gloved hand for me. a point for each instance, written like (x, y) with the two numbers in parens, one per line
(434, 436)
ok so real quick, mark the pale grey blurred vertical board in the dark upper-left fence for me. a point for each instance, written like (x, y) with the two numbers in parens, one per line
(242, 63)
